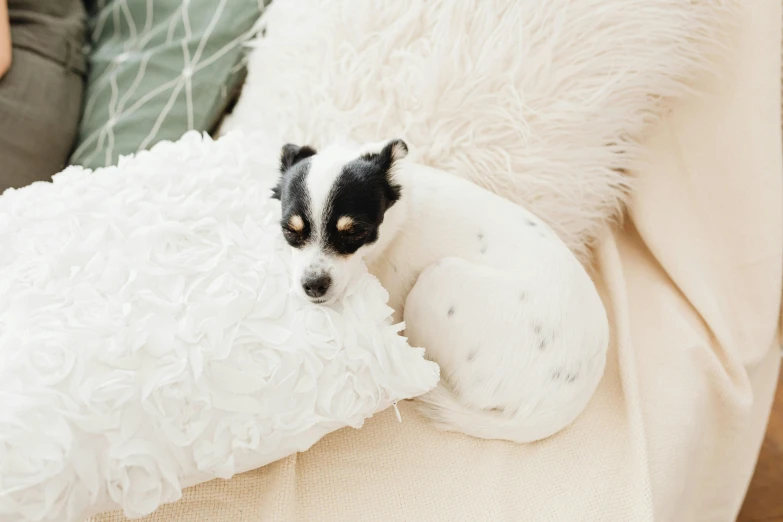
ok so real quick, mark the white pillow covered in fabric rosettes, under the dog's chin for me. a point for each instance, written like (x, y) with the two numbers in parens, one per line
(149, 341)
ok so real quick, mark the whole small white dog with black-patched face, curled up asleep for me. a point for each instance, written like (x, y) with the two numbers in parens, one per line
(489, 290)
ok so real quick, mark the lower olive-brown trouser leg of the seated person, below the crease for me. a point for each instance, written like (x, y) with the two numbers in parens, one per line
(40, 108)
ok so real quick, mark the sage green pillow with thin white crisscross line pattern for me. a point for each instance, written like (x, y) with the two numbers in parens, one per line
(159, 68)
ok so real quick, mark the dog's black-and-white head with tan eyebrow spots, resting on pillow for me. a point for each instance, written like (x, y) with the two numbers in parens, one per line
(333, 204)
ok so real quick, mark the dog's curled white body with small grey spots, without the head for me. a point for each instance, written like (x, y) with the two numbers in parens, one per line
(498, 301)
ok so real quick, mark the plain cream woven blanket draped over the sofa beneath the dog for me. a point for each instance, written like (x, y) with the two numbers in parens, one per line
(693, 287)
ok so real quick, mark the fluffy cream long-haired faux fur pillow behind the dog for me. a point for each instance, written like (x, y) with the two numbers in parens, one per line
(543, 102)
